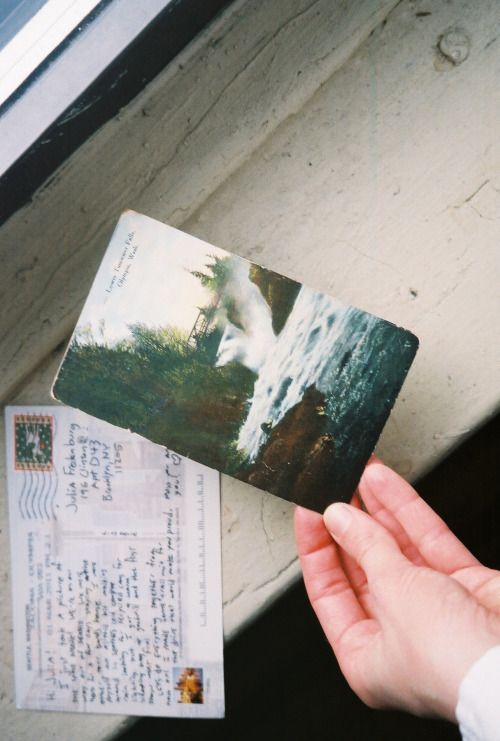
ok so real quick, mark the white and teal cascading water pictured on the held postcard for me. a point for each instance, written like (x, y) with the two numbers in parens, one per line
(356, 360)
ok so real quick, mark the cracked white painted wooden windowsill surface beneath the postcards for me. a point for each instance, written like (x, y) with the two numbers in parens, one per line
(364, 164)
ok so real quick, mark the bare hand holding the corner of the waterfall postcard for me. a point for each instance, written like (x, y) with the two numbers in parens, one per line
(405, 606)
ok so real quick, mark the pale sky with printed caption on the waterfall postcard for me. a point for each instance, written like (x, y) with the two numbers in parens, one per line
(157, 289)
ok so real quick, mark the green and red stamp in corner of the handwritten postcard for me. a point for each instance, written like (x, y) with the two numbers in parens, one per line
(33, 435)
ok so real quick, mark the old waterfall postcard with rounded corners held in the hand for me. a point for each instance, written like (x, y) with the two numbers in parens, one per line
(233, 365)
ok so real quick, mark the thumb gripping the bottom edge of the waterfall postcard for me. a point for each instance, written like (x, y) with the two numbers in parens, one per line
(367, 542)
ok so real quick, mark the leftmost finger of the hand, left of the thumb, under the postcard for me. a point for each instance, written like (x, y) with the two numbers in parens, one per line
(328, 588)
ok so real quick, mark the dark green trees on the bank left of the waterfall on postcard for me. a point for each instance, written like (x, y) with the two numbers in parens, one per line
(155, 384)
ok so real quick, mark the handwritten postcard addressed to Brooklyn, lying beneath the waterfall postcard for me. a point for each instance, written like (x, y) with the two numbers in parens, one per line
(116, 571)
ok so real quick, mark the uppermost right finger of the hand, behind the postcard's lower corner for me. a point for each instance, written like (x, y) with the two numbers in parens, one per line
(394, 499)
